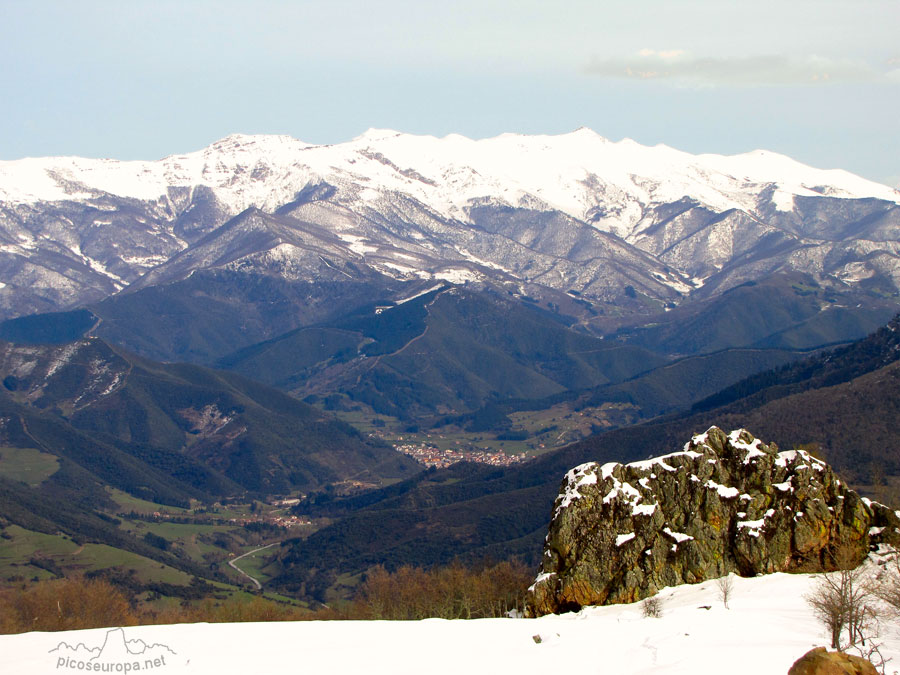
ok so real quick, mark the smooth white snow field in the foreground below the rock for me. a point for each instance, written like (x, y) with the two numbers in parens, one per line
(768, 627)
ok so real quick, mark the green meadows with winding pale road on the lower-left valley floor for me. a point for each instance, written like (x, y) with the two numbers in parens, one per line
(202, 541)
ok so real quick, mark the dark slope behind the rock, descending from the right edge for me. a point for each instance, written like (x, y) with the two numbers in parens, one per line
(850, 420)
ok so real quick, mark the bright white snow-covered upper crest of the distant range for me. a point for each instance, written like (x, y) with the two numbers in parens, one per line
(573, 172)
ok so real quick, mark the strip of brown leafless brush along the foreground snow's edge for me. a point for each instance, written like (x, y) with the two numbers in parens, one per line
(455, 591)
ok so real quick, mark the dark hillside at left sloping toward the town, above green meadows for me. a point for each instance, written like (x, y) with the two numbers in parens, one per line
(251, 436)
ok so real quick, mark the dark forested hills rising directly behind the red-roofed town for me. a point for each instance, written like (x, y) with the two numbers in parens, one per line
(451, 352)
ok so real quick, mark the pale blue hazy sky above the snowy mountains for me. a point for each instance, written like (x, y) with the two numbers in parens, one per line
(818, 80)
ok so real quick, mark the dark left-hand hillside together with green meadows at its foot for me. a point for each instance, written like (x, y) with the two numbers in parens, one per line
(95, 442)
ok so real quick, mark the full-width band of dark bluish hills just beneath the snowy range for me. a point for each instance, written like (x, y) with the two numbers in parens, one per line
(421, 356)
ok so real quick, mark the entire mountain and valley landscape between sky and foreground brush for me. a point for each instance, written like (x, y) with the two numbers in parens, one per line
(324, 359)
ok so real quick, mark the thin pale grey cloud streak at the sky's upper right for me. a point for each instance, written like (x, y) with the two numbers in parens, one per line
(680, 67)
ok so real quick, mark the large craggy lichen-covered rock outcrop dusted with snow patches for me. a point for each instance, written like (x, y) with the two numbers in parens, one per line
(726, 503)
